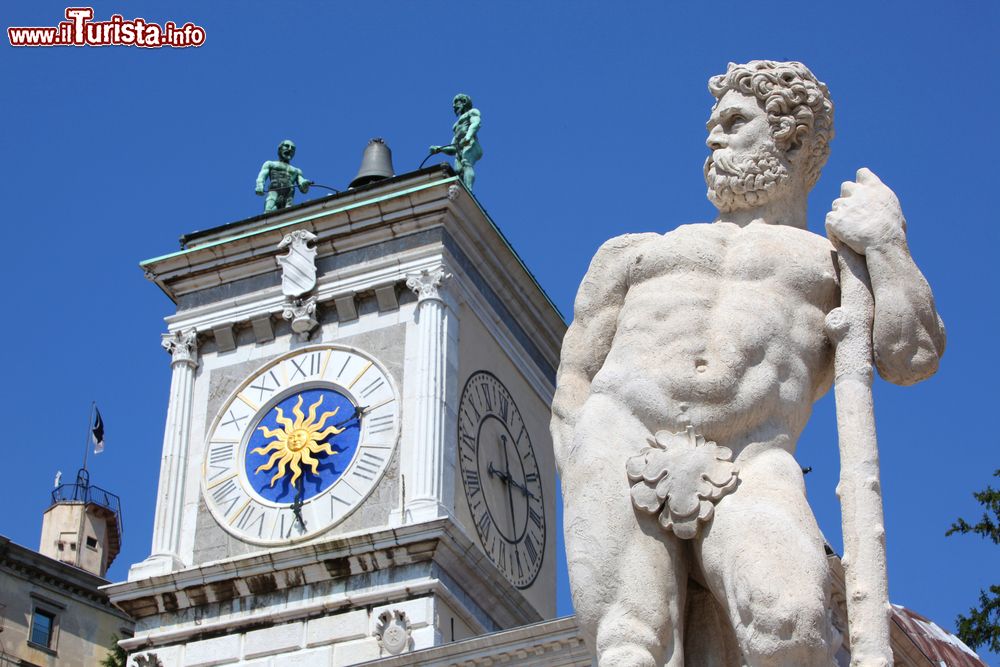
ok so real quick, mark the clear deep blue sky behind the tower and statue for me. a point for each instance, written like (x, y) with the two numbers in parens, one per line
(593, 126)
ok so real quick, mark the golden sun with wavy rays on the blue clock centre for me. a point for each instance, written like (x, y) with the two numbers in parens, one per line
(297, 442)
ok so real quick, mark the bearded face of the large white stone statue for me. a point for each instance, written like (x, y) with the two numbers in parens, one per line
(745, 168)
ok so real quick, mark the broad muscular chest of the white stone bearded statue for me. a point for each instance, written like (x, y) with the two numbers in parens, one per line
(724, 256)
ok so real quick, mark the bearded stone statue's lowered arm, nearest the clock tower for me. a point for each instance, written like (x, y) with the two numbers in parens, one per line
(588, 339)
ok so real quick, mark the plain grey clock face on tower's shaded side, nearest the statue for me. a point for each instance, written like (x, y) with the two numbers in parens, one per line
(501, 479)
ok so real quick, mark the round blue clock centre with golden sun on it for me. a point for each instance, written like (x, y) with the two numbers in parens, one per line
(302, 445)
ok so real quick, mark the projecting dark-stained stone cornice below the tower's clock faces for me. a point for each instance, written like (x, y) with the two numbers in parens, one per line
(439, 541)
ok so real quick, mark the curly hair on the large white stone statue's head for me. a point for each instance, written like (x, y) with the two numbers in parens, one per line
(798, 105)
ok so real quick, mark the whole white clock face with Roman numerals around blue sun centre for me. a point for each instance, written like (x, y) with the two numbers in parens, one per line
(300, 444)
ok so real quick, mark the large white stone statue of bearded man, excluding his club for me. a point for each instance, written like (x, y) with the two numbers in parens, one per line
(687, 376)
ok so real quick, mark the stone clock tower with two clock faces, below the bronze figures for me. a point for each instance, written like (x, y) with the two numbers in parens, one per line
(356, 462)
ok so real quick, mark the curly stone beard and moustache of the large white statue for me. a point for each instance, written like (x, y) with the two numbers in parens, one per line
(745, 180)
